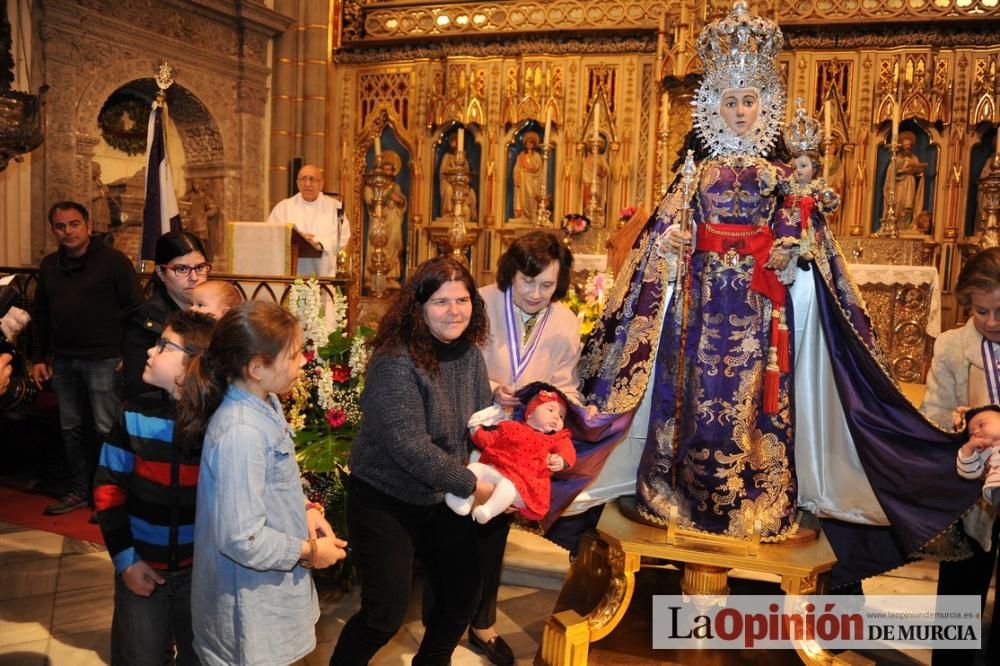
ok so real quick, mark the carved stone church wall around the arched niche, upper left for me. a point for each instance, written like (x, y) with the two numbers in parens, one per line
(90, 48)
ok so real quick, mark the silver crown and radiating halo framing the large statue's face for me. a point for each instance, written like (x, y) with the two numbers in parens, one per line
(739, 51)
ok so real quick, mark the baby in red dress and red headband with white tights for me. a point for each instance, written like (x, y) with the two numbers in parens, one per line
(519, 457)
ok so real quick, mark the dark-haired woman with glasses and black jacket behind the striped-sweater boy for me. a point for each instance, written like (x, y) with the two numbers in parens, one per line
(181, 265)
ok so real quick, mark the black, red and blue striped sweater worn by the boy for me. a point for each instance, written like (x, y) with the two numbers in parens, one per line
(145, 490)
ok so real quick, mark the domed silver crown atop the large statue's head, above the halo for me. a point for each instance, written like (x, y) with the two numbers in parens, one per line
(740, 50)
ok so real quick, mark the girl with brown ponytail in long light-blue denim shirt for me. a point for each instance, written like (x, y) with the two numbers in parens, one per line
(256, 538)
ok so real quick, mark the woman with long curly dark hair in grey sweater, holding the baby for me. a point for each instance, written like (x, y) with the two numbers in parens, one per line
(425, 379)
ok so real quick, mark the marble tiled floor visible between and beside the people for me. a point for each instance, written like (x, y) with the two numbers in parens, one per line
(56, 599)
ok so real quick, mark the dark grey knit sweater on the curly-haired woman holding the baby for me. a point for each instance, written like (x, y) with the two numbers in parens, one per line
(412, 440)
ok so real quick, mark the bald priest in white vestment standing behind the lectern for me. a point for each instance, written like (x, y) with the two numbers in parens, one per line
(316, 216)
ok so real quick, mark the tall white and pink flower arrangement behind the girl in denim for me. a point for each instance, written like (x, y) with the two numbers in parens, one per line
(323, 406)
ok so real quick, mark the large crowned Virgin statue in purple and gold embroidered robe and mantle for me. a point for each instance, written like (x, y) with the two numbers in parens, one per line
(753, 373)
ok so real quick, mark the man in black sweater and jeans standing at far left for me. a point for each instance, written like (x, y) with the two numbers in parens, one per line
(83, 288)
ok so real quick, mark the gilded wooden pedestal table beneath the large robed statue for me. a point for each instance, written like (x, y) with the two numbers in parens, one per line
(803, 568)
